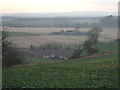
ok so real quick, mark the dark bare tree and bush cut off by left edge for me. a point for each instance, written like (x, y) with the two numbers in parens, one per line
(10, 55)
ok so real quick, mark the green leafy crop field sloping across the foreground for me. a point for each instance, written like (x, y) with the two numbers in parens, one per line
(92, 72)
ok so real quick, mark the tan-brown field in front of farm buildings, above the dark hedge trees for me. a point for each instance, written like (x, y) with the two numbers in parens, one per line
(44, 39)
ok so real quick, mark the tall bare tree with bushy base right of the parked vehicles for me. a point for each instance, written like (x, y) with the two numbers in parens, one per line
(88, 45)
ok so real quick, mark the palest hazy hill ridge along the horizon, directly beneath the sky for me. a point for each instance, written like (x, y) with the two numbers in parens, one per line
(61, 14)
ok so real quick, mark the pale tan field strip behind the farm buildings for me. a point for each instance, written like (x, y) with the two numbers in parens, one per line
(112, 31)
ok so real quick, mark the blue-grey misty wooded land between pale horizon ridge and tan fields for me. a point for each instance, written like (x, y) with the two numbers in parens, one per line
(50, 21)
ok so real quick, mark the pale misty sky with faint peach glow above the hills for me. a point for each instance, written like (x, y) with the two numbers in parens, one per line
(14, 6)
